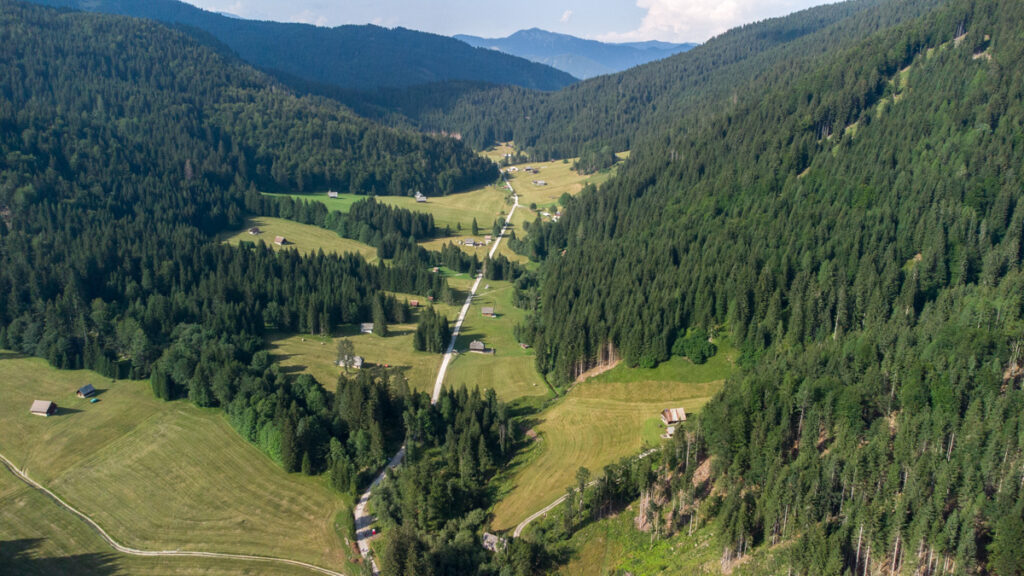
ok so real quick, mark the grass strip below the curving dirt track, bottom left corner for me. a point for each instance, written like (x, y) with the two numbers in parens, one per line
(39, 538)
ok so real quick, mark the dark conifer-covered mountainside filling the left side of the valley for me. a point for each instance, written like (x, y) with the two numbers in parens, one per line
(125, 148)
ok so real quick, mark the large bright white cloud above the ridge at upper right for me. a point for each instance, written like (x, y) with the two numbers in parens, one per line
(696, 21)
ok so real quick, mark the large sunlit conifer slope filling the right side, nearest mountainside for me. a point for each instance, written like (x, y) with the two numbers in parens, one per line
(859, 230)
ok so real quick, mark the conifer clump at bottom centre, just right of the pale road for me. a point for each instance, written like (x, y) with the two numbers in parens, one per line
(437, 503)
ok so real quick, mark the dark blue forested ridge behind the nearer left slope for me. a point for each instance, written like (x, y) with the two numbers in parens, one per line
(353, 58)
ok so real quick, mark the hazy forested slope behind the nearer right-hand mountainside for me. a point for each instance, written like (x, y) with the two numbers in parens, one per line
(621, 110)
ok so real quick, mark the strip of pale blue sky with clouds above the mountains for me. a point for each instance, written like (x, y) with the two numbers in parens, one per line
(610, 21)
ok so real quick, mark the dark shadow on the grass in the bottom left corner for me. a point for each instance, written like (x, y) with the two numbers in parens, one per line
(20, 557)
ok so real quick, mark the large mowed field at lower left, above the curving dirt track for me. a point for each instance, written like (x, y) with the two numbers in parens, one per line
(162, 476)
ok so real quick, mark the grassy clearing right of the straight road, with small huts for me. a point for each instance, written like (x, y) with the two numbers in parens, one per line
(510, 371)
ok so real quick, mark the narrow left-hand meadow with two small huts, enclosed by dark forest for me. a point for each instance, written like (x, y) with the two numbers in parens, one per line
(305, 238)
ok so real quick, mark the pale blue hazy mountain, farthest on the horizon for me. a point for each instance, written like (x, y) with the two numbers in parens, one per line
(581, 58)
